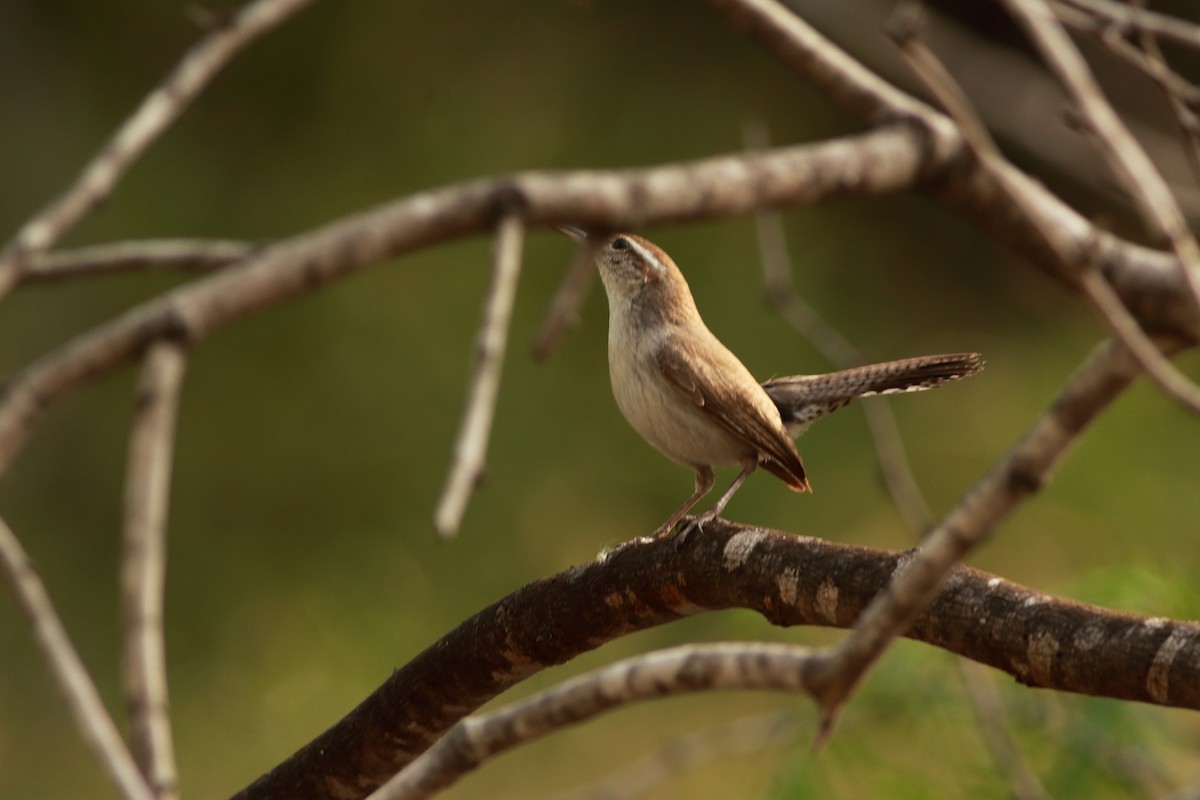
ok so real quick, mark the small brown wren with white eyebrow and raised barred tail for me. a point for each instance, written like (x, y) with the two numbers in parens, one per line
(695, 402)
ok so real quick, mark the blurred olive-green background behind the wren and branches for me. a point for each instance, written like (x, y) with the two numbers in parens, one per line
(315, 438)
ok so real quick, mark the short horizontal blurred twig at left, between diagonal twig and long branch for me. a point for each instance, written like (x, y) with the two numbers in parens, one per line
(184, 255)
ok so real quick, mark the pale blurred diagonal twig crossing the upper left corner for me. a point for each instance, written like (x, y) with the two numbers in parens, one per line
(158, 111)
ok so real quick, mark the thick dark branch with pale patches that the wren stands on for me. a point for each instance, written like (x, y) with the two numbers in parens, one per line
(790, 580)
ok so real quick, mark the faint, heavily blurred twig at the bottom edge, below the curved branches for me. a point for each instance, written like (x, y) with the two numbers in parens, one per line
(745, 736)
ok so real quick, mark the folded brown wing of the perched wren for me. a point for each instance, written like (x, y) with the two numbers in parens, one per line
(731, 407)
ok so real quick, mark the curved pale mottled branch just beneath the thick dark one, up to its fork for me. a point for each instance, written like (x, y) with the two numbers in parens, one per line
(677, 671)
